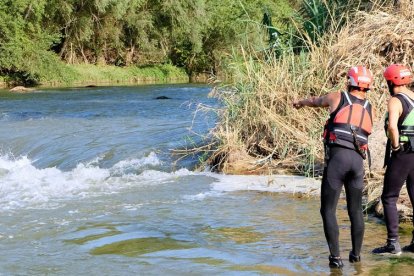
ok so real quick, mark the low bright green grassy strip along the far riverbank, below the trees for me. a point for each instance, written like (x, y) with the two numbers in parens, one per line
(89, 74)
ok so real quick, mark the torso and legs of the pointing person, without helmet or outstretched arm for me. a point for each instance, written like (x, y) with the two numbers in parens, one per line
(346, 151)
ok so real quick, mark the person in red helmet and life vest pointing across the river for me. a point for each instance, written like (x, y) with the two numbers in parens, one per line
(346, 146)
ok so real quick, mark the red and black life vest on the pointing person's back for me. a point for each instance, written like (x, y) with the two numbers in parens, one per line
(350, 124)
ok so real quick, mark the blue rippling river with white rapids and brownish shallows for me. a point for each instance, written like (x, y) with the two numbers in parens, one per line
(88, 186)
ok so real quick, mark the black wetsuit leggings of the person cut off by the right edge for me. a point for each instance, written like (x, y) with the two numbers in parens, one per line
(399, 169)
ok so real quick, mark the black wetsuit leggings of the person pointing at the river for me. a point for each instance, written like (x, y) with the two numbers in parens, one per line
(344, 166)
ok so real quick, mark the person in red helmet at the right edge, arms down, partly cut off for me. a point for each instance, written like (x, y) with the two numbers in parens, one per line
(400, 165)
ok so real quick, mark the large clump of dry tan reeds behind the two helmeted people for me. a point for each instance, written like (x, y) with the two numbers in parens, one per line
(259, 123)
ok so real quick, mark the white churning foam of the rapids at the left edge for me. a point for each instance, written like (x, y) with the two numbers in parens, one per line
(23, 185)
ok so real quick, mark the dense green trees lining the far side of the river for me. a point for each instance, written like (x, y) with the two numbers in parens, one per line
(197, 35)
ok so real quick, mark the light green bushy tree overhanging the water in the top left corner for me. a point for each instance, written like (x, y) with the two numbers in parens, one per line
(24, 55)
